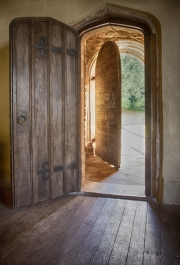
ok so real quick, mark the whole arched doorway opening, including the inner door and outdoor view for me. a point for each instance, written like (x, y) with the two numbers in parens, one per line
(111, 118)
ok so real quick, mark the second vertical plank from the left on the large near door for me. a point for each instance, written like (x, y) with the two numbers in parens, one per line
(40, 136)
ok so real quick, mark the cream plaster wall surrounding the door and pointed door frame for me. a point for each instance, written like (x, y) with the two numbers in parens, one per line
(70, 12)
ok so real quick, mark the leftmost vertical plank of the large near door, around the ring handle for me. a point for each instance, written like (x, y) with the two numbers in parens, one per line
(20, 76)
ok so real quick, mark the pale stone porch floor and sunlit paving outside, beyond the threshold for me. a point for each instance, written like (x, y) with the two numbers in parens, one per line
(129, 180)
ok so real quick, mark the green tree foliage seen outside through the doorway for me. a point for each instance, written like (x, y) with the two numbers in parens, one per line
(132, 76)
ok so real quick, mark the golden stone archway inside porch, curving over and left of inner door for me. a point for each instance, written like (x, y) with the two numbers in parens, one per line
(129, 41)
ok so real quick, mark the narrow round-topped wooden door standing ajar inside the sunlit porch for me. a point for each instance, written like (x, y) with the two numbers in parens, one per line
(108, 104)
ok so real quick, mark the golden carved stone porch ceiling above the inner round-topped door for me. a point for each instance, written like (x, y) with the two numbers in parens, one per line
(94, 39)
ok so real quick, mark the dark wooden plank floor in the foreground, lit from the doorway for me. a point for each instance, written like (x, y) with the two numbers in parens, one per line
(82, 230)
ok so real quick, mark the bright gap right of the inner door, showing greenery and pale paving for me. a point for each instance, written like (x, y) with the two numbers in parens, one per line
(133, 125)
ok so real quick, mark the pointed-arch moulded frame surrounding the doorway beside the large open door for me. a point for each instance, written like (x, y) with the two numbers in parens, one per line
(114, 15)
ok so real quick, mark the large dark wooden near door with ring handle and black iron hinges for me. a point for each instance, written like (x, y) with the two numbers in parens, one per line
(44, 110)
